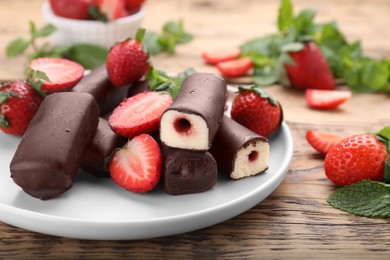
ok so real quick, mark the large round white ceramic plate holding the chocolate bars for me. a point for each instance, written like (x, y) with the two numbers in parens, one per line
(96, 208)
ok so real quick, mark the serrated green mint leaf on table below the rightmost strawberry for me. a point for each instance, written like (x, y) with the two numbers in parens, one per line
(366, 198)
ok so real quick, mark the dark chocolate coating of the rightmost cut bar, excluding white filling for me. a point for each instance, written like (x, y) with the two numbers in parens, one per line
(231, 137)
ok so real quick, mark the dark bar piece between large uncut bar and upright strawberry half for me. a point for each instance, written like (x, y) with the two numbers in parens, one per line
(103, 144)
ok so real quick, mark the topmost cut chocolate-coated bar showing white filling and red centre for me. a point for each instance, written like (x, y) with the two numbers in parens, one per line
(195, 116)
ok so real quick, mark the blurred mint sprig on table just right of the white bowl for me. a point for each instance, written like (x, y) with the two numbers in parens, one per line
(173, 34)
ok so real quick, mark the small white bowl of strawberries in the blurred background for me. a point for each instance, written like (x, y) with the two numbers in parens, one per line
(72, 31)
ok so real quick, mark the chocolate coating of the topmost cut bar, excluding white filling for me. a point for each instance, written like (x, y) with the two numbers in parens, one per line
(203, 94)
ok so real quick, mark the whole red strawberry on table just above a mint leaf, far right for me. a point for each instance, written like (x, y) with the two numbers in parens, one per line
(356, 158)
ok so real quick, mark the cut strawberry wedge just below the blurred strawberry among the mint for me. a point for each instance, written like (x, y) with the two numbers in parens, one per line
(326, 99)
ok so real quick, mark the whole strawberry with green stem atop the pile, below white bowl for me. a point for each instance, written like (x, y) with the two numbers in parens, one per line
(127, 61)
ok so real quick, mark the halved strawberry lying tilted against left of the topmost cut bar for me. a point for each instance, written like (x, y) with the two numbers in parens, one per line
(139, 114)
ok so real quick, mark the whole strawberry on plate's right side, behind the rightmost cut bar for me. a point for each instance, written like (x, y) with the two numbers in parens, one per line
(257, 110)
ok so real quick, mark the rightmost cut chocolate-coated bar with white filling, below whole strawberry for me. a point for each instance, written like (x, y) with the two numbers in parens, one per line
(238, 151)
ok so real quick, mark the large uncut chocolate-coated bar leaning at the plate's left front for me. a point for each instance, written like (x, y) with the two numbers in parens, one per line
(48, 157)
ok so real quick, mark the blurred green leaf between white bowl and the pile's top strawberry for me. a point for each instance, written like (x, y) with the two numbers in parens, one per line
(89, 56)
